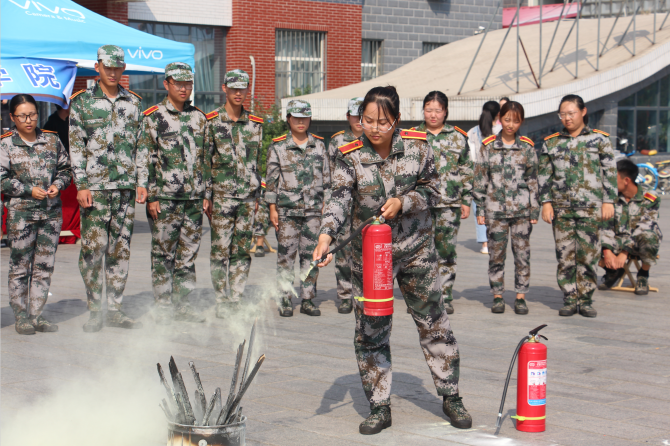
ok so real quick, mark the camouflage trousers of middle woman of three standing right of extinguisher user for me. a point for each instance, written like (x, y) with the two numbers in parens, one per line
(498, 232)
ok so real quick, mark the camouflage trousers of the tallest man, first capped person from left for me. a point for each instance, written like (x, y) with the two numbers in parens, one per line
(106, 230)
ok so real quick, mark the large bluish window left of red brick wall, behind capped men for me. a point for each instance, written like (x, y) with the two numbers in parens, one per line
(210, 63)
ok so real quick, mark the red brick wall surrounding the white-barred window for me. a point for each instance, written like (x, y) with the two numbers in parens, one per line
(253, 33)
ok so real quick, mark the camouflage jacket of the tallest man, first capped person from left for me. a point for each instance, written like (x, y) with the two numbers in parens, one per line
(103, 138)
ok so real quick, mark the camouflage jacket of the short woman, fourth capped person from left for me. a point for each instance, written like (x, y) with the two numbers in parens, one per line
(298, 180)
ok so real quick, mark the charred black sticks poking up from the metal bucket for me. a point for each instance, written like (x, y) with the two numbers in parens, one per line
(178, 408)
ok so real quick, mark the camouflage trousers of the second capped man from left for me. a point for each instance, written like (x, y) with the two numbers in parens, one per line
(175, 241)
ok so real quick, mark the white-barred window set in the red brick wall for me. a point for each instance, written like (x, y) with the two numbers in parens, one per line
(299, 63)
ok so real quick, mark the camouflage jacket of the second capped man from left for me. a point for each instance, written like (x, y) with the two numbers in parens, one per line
(172, 161)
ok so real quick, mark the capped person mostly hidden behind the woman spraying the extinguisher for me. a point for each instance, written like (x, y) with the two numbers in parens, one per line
(343, 257)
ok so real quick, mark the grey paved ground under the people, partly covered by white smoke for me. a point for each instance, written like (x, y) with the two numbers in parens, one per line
(608, 378)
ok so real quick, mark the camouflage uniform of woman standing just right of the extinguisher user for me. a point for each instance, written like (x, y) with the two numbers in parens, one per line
(453, 164)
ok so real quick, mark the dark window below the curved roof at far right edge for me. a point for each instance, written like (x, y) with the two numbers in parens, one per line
(644, 118)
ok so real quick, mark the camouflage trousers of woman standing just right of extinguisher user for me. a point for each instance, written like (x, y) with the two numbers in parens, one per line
(446, 222)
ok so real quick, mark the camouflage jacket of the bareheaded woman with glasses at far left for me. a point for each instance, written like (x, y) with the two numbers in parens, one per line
(23, 167)
